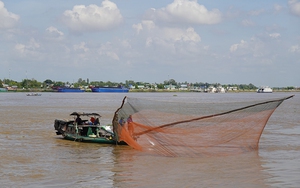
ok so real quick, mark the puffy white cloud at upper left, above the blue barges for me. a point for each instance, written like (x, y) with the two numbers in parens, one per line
(92, 18)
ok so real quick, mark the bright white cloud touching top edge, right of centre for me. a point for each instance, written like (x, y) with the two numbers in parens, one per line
(186, 11)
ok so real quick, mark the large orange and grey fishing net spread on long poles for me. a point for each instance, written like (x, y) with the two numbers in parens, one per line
(174, 128)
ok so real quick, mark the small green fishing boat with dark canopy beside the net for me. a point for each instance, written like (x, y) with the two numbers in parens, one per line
(85, 130)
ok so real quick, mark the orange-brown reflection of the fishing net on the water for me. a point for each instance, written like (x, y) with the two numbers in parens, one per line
(155, 171)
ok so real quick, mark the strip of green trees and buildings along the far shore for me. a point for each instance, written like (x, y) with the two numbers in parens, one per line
(48, 84)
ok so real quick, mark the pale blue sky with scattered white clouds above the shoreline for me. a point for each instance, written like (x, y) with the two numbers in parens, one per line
(227, 42)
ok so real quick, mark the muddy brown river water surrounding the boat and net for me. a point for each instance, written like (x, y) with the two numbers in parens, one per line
(32, 155)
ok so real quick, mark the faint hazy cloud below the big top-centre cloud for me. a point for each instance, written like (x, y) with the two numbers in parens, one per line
(170, 41)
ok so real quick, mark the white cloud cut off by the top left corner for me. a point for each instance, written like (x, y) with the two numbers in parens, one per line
(7, 19)
